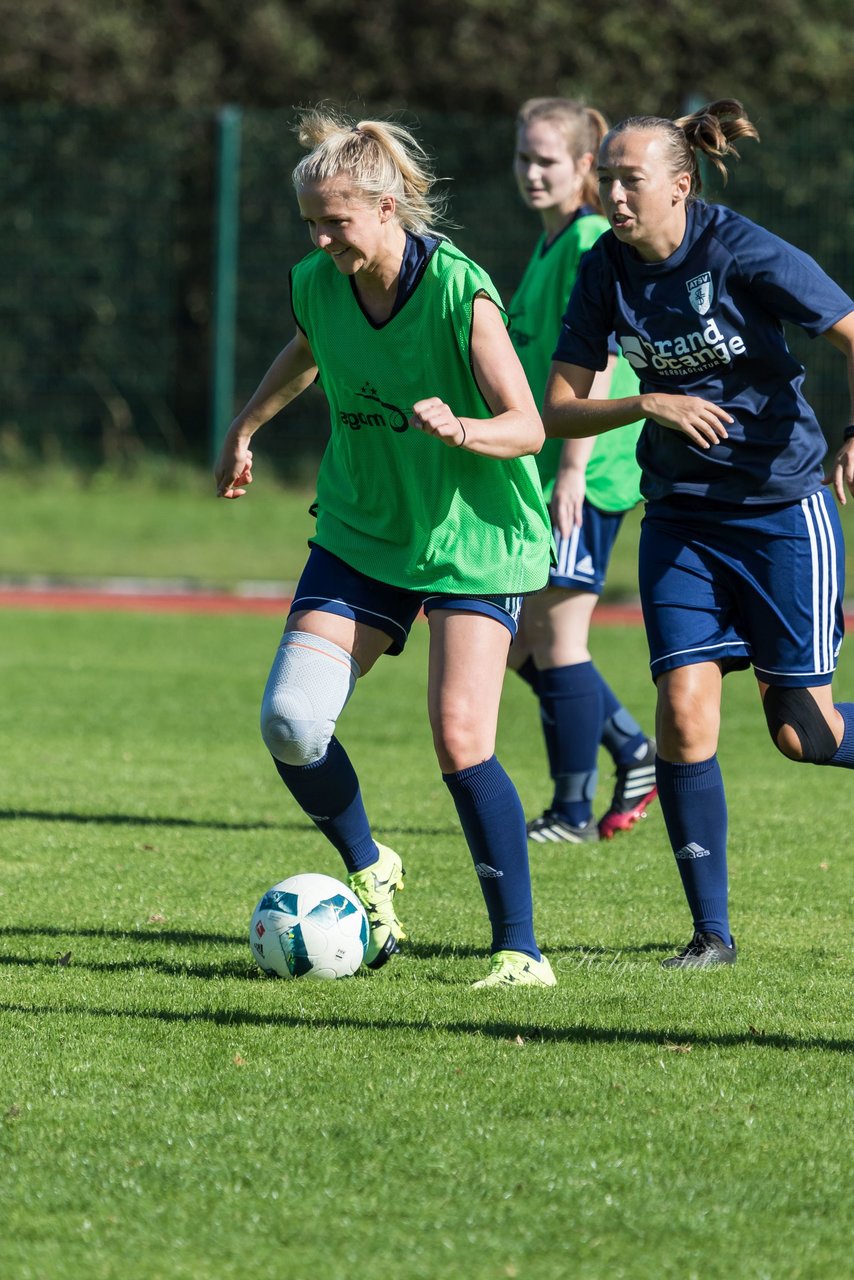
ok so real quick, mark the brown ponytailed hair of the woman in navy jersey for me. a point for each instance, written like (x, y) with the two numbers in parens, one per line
(711, 130)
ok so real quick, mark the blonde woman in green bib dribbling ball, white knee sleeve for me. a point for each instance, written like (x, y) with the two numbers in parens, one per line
(428, 499)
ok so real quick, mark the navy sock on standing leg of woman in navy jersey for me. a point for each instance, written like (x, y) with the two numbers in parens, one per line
(695, 808)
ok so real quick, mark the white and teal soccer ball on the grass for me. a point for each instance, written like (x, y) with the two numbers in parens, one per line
(309, 926)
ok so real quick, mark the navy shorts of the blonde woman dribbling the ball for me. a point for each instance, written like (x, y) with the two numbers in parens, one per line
(332, 587)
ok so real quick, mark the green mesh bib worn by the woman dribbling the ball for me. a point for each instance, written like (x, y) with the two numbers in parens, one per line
(394, 502)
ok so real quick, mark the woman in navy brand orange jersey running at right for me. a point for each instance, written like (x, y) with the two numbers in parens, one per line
(742, 559)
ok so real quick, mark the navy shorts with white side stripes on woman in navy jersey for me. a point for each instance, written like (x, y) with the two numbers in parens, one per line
(745, 587)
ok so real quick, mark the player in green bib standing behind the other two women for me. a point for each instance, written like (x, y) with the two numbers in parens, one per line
(591, 486)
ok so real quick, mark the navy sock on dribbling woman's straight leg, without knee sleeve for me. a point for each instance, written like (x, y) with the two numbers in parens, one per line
(494, 824)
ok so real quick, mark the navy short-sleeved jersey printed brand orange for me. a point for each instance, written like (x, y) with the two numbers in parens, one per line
(709, 322)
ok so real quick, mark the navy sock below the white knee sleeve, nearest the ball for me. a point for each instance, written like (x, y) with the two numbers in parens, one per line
(328, 793)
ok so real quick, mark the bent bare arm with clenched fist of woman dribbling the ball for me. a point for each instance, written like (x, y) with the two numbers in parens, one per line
(515, 428)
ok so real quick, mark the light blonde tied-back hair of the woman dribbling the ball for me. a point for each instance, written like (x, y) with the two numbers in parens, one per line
(378, 158)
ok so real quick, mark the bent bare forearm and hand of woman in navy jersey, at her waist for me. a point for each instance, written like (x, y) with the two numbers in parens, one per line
(570, 413)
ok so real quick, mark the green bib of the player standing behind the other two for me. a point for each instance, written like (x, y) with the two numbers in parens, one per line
(536, 310)
